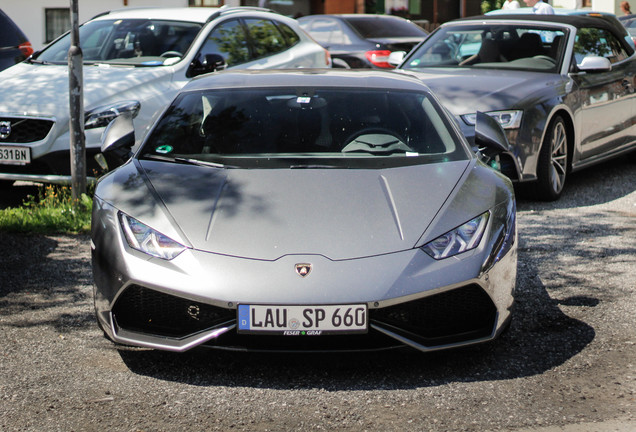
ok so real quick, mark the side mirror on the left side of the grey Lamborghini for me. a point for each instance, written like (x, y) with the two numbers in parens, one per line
(118, 139)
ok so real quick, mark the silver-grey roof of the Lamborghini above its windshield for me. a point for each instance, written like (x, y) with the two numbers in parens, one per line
(350, 78)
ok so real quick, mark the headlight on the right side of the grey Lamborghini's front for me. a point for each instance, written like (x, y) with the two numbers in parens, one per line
(458, 240)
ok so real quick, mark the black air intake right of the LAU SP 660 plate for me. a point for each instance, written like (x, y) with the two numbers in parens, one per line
(458, 315)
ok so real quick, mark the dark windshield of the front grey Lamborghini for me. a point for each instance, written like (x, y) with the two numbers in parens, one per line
(304, 127)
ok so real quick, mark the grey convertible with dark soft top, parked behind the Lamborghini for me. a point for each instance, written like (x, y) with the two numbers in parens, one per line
(561, 86)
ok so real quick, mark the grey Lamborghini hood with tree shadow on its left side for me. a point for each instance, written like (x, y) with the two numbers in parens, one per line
(268, 213)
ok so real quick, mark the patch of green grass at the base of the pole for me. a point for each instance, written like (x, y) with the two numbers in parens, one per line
(53, 211)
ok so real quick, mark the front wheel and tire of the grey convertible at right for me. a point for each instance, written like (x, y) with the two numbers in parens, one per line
(553, 162)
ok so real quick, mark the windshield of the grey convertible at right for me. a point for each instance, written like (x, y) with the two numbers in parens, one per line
(494, 46)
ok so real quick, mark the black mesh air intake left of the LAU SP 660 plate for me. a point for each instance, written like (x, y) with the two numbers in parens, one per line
(147, 311)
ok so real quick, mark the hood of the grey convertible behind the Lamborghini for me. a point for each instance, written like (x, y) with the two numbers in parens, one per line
(465, 91)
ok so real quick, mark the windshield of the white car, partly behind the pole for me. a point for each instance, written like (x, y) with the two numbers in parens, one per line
(139, 42)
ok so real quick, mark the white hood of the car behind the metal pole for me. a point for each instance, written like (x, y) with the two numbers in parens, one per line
(43, 90)
